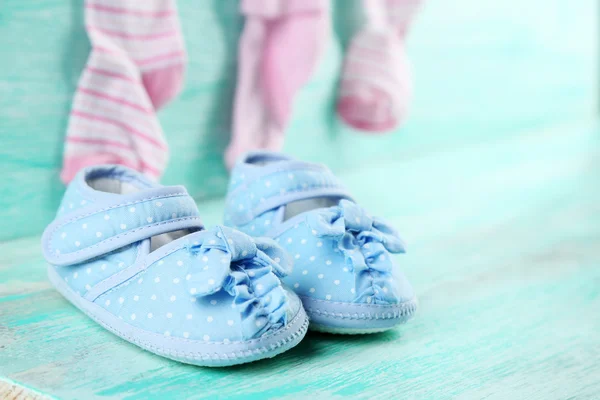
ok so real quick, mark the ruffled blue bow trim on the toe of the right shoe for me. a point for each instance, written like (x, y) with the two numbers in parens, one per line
(366, 243)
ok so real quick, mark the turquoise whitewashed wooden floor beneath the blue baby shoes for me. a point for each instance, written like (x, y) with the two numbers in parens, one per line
(504, 252)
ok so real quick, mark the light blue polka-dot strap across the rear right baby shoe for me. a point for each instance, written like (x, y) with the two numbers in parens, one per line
(280, 184)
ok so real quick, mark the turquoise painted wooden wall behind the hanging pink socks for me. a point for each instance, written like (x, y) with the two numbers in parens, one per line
(482, 70)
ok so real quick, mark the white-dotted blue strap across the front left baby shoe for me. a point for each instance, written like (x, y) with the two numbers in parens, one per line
(108, 225)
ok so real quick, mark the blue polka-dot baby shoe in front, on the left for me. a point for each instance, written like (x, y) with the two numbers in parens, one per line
(135, 257)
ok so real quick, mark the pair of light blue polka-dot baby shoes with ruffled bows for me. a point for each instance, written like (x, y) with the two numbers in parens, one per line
(135, 257)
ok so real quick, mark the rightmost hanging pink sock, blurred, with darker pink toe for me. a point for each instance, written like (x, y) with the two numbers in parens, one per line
(376, 85)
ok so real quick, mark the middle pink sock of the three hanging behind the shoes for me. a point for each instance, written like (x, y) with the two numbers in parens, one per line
(278, 51)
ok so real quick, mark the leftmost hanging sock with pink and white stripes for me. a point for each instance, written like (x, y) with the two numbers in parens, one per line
(135, 67)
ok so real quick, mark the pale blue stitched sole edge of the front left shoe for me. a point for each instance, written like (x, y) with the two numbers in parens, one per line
(196, 352)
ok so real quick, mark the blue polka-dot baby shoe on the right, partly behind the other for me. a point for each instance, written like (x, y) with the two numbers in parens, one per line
(343, 269)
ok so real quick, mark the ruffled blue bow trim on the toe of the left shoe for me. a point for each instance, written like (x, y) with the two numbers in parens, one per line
(246, 268)
